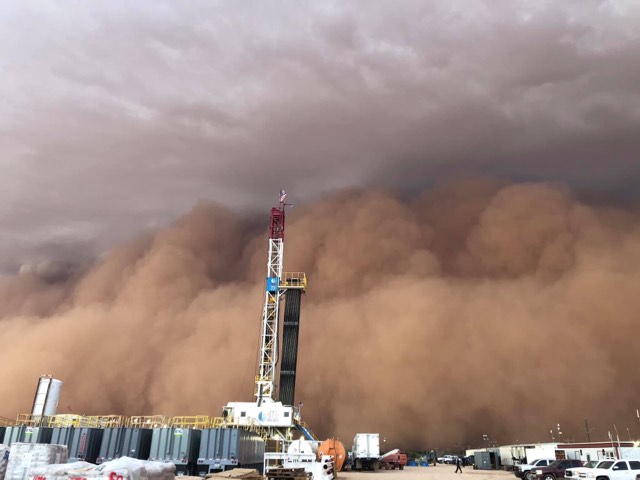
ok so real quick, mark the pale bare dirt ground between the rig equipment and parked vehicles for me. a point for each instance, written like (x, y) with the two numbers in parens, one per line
(441, 472)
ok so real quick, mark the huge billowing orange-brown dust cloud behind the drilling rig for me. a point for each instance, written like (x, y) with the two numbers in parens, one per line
(478, 308)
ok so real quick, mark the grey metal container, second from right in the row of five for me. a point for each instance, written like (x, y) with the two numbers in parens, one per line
(179, 446)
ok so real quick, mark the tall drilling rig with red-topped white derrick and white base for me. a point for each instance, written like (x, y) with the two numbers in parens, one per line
(276, 417)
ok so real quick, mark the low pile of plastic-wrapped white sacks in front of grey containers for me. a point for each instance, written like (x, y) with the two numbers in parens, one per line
(123, 468)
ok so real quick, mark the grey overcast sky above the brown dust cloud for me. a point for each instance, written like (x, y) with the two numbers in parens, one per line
(117, 116)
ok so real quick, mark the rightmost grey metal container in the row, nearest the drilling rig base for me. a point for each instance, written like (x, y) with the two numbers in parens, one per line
(227, 448)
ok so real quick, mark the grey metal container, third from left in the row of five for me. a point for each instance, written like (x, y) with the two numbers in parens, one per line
(125, 442)
